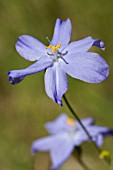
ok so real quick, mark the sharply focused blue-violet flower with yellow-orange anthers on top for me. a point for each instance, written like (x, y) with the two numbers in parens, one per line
(59, 58)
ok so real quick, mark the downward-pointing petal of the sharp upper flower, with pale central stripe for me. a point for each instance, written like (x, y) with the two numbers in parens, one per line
(55, 83)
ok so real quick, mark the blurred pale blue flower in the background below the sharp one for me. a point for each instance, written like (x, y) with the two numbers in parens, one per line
(66, 134)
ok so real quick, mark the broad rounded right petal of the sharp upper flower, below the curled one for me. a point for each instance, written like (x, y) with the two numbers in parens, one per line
(87, 66)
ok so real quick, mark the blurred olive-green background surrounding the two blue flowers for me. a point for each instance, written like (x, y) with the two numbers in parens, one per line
(25, 108)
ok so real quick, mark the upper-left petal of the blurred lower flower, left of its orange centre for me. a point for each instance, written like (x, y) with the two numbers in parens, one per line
(58, 125)
